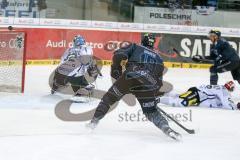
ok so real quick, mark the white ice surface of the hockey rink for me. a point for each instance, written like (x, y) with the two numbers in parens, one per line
(30, 129)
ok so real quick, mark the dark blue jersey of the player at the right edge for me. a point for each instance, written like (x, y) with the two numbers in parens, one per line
(222, 50)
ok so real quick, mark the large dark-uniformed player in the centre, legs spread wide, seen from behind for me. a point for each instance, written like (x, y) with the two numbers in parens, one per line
(142, 78)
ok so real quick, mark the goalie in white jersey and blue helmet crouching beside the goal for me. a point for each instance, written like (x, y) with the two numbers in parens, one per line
(76, 63)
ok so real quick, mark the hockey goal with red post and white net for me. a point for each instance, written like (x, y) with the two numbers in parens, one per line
(12, 61)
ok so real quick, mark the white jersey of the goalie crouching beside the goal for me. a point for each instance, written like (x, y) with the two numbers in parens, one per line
(75, 61)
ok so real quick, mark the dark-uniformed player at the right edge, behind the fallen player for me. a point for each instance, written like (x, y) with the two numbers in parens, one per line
(224, 56)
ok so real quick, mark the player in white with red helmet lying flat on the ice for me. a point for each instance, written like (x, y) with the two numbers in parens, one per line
(212, 96)
